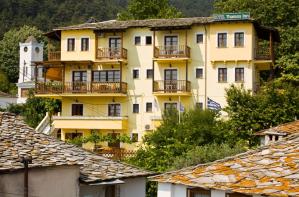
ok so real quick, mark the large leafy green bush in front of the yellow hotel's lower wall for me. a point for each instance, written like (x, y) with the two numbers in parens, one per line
(173, 139)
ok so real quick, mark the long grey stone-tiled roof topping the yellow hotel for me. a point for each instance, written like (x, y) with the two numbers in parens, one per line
(151, 23)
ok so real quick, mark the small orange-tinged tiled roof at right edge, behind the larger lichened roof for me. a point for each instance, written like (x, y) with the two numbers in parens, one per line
(284, 129)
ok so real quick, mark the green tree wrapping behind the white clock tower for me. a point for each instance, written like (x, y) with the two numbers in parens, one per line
(9, 49)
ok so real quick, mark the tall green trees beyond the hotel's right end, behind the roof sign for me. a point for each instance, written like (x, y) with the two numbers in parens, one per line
(281, 14)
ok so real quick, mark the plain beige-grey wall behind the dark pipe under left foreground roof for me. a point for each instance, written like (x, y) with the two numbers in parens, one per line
(45, 182)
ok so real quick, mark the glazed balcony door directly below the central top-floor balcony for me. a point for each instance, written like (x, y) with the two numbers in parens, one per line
(170, 80)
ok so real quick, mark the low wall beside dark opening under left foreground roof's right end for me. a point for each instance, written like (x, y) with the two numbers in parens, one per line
(133, 187)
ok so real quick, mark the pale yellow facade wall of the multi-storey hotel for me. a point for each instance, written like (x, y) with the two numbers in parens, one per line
(205, 55)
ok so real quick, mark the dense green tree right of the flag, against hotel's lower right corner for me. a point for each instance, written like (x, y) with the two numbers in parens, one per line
(275, 104)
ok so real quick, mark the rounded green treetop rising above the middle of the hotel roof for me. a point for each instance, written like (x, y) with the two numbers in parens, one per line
(149, 9)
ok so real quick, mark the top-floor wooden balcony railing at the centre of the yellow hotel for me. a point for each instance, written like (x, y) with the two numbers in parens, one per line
(172, 51)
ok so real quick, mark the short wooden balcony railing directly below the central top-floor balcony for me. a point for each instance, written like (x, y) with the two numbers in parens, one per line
(172, 86)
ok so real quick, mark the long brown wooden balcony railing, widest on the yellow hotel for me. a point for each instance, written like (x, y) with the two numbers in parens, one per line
(80, 87)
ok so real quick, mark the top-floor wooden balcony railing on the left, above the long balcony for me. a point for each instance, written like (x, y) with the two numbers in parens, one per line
(112, 53)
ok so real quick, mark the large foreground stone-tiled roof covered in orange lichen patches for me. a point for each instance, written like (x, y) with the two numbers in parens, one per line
(271, 170)
